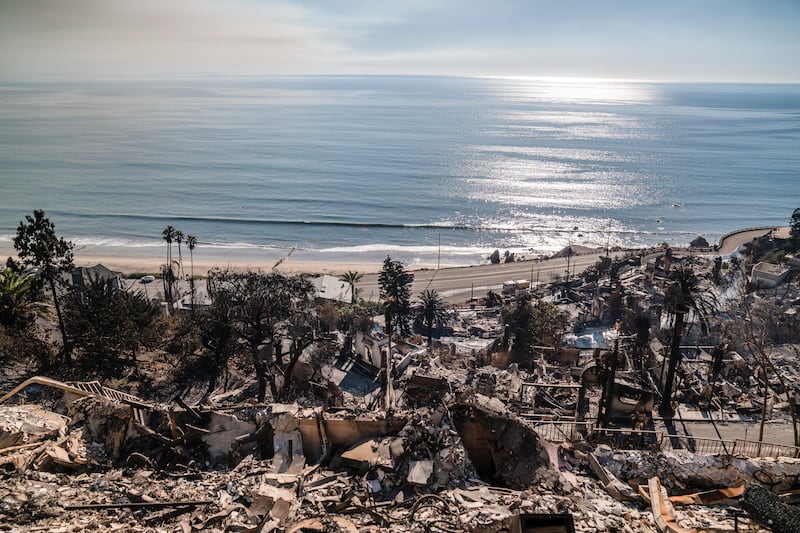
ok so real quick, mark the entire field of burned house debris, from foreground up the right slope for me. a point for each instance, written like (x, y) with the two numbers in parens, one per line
(545, 412)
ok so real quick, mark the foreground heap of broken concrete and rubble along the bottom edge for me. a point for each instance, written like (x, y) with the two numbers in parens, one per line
(466, 465)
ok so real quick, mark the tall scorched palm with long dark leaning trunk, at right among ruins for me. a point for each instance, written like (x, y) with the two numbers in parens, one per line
(684, 296)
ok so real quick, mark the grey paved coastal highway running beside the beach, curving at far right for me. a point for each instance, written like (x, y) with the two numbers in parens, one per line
(459, 284)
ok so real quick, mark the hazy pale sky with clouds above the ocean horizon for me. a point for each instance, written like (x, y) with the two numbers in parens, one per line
(663, 40)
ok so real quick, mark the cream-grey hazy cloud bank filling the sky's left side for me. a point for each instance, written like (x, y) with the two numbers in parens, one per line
(63, 37)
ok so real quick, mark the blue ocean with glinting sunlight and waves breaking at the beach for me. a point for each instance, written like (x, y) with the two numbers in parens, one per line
(426, 169)
